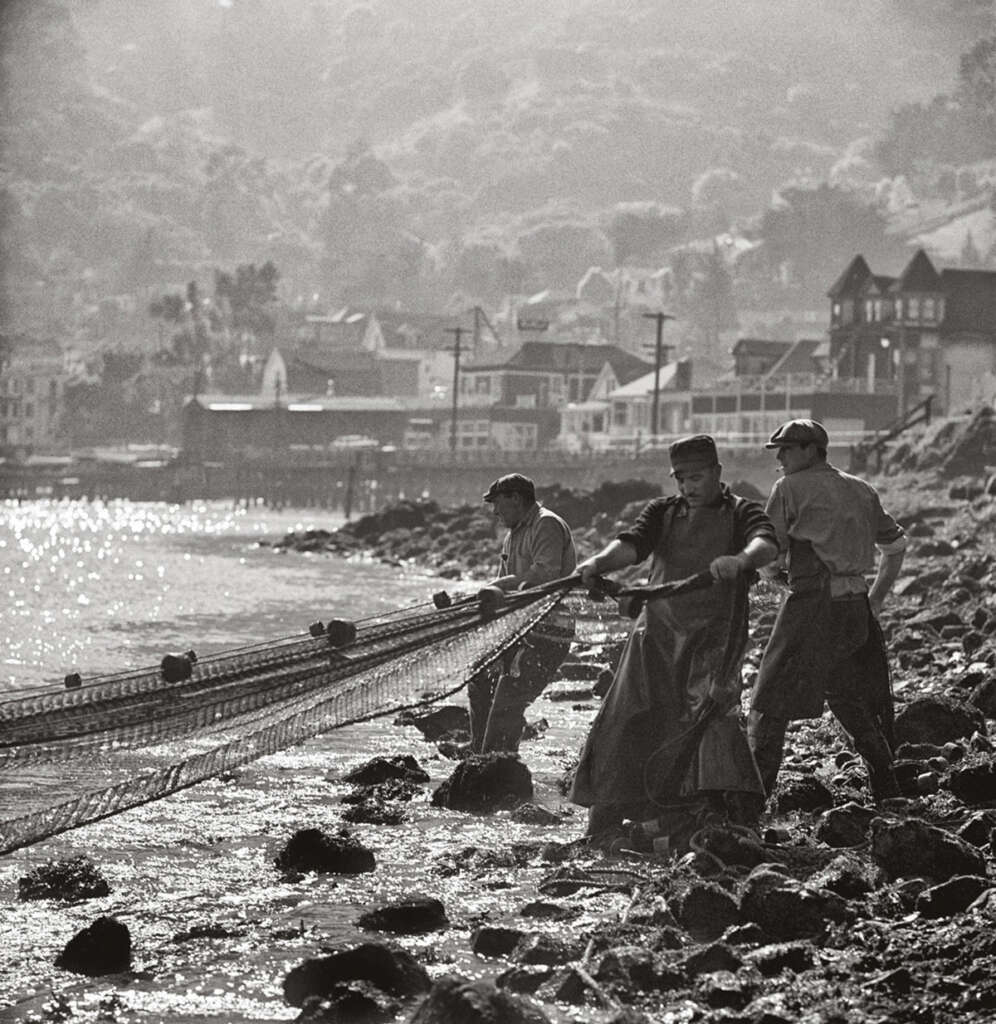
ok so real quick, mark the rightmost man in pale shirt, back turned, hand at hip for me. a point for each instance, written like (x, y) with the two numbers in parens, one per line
(827, 645)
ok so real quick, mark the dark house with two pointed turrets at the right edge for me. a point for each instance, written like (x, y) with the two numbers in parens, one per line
(927, 332)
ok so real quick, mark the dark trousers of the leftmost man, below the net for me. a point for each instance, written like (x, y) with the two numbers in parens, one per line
(500, 695)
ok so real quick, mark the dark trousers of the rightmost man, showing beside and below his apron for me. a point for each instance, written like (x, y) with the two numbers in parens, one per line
(848, 694)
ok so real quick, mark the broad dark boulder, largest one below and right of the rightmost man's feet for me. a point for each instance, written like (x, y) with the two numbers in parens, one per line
(914, 847)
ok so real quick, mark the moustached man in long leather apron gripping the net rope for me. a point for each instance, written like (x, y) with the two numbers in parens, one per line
(681, 666)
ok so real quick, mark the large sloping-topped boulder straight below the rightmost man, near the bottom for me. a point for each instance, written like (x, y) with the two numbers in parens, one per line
(788, 910)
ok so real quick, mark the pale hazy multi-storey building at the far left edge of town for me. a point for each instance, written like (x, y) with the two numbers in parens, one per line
(32, 383)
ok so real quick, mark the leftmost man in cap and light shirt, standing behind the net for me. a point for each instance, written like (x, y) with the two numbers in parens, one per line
(538, 548)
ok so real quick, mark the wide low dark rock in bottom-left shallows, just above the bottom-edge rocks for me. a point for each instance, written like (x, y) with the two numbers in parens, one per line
(389, 968)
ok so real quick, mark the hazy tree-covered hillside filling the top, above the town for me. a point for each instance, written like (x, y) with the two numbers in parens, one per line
(404, 149)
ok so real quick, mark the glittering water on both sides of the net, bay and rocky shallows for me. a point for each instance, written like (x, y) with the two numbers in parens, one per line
(97, 588)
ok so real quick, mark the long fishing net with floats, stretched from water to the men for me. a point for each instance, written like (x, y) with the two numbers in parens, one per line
(73, 757)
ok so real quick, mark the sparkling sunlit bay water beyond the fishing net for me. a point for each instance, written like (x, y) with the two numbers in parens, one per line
(99, 587)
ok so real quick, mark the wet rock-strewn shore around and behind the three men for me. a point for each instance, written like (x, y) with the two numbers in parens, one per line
(837, 911)
